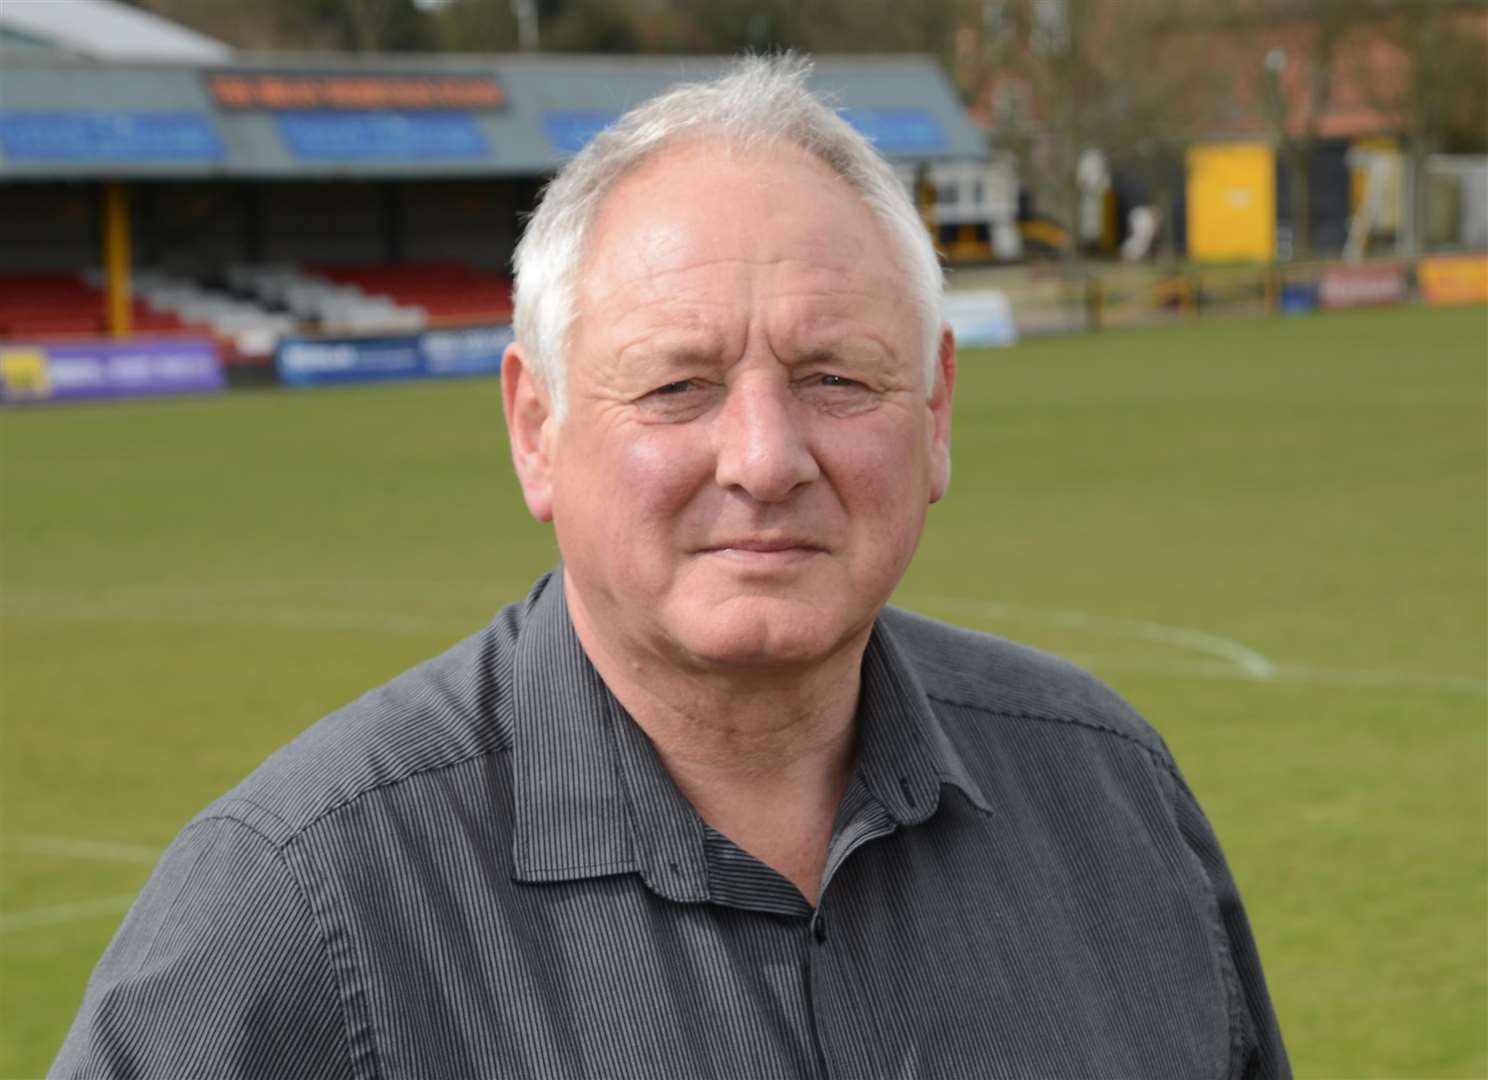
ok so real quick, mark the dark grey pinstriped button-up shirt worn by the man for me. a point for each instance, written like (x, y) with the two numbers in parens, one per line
(483, 871)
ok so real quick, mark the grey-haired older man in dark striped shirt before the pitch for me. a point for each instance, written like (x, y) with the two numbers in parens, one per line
(703, 807)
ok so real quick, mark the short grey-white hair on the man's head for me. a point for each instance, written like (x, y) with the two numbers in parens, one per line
(757, 103)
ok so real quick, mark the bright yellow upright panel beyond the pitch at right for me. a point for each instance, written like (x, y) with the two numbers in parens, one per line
(1233, 202)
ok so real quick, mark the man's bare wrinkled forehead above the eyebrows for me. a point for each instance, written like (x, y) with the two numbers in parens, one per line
(711, 246)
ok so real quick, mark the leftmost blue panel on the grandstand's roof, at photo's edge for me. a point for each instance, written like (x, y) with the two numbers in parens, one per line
(102, 136)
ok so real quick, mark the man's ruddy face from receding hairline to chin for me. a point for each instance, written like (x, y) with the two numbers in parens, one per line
(751, 449)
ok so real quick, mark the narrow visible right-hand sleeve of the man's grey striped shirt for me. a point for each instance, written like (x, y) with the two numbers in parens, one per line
(1266, 1055)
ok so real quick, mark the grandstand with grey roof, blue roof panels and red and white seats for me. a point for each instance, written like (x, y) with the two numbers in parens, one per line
(254, 197)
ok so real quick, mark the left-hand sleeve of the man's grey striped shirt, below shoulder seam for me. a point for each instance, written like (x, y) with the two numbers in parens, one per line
(219, 971)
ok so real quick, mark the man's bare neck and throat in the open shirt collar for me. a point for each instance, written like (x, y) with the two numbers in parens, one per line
(764, 756)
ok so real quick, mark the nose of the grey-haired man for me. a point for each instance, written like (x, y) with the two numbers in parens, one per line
(761, 444)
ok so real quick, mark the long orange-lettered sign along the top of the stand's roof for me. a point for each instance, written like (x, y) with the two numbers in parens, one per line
(355, 93)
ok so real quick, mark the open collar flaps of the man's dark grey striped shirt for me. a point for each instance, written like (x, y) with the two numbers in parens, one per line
(593, 798)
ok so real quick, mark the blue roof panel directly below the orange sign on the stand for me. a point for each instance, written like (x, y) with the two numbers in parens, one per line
(383, 136)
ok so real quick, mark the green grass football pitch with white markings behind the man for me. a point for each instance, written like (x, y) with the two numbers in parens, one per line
(1269, 535)
